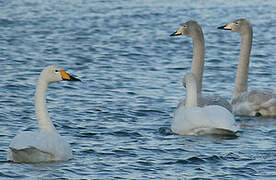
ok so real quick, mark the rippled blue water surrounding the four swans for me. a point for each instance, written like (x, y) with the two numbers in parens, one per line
(117, 119)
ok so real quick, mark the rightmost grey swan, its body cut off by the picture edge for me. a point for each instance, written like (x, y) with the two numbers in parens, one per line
(255, 102)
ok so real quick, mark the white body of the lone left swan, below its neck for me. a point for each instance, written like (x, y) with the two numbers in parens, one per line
(41, 146)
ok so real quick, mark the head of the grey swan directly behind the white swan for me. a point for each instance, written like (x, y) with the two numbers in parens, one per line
(187, 29)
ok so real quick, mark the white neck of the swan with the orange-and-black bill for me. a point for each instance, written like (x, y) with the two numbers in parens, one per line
(41, 111)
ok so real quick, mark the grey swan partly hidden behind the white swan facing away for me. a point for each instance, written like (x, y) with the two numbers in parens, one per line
(192, 29)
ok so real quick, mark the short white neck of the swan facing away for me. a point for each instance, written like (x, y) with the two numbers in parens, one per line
(191, 95)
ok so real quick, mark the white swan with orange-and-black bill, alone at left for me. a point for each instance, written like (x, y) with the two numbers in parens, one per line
(45, 145)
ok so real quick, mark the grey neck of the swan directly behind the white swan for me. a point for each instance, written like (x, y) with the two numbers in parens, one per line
(198, 57)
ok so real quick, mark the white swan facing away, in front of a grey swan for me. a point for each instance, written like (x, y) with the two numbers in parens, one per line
(193, 120)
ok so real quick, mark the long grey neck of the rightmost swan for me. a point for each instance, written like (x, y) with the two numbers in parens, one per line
(242, 72)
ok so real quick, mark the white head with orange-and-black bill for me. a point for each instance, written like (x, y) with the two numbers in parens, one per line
(53, 74)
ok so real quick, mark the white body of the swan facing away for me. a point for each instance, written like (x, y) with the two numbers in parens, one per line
(202, 120)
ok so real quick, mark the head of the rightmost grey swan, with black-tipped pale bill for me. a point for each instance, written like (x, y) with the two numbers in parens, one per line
(241, 26)
